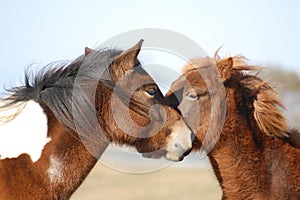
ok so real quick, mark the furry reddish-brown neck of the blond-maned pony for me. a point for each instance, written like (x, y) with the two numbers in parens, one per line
(237, 154)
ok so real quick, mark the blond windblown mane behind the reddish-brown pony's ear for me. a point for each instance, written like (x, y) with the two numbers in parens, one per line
(266, 101)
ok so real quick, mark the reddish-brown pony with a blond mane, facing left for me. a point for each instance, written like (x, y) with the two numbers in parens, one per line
(253, 152)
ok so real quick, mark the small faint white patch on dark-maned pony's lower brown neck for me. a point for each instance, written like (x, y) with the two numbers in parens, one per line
(55, 171)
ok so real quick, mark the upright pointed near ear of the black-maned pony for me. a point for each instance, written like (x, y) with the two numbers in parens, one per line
(126, 60)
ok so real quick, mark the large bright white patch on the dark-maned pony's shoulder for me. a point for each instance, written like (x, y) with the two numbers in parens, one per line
(26, 133)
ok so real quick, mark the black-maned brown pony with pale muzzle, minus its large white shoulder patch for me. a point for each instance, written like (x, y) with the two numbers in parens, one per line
(103, 96)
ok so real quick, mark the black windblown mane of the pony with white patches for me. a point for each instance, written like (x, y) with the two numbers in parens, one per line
(58, 85)
